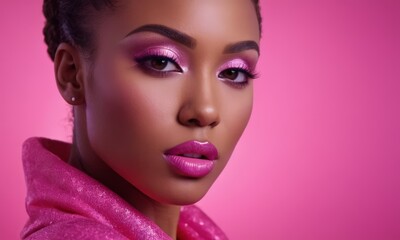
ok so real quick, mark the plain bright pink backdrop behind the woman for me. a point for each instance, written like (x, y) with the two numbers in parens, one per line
(321, 156)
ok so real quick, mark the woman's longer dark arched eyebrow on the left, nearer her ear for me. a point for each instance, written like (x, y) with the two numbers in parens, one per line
(168, 32)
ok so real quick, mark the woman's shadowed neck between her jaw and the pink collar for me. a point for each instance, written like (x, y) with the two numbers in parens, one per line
(164, 215)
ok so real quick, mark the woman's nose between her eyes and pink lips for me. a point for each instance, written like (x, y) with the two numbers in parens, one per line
(200, 108)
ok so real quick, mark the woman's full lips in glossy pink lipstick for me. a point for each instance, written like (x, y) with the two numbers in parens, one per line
(192, 159)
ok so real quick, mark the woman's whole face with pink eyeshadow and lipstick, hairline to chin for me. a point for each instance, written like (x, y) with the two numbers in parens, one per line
(167, 73)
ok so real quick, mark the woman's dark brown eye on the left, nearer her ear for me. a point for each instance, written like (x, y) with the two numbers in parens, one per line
(159, 64)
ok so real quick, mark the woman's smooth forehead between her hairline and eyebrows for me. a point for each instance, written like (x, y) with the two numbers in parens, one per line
(204, 20)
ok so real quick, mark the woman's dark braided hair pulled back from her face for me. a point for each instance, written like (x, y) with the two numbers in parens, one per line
(66, 21)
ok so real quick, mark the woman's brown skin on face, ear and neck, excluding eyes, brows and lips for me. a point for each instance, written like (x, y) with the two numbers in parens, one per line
(126, 118)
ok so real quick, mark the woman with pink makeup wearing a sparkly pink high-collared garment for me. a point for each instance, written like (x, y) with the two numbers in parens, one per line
(161, 92)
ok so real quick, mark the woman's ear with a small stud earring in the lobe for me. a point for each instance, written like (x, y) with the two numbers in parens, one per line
(69, 71)
